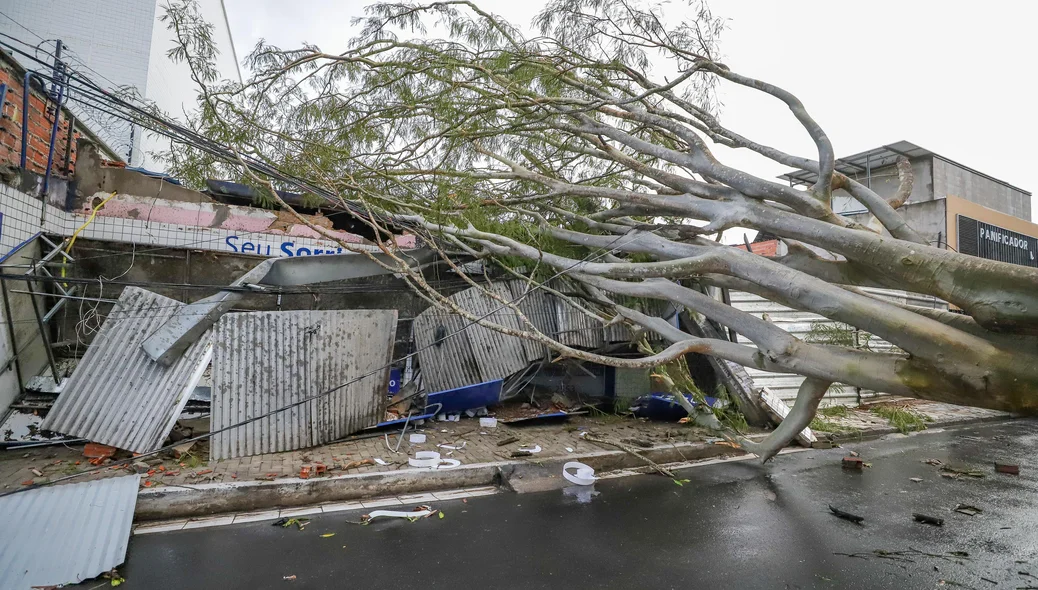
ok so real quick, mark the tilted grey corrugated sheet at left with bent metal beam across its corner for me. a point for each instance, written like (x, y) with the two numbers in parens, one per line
(118, 395)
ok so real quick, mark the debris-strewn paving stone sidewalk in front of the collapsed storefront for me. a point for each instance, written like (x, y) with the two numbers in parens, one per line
(481, 446)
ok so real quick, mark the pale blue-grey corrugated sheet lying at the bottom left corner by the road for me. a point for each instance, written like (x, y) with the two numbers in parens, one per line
(66, 534)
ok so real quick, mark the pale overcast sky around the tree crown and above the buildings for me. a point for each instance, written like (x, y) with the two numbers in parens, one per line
(954, 77)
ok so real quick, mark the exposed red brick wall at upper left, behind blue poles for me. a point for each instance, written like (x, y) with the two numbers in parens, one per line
(41, 121)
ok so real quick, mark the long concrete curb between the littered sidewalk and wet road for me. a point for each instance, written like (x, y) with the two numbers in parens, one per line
(206, 500)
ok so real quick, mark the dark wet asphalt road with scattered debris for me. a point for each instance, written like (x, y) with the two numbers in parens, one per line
(735, 525)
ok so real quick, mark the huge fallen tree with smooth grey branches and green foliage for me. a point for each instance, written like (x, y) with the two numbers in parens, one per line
(588, 152)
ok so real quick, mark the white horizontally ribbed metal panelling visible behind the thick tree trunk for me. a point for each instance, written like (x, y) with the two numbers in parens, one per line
(800, 325)
